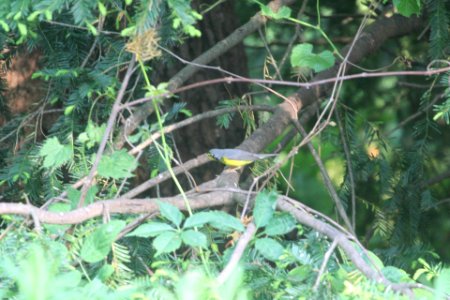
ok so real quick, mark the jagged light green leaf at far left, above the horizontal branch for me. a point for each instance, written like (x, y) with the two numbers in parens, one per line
(54, 153)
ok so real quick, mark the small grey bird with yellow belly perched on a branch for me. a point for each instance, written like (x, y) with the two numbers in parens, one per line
(236, 157)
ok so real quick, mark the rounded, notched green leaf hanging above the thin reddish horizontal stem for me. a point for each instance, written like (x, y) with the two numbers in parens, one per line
(302, 56)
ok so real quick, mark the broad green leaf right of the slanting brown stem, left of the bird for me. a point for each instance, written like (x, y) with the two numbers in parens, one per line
(118, 165)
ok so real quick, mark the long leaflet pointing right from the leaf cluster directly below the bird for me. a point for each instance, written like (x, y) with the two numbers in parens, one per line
(217, 219)
